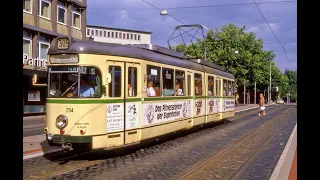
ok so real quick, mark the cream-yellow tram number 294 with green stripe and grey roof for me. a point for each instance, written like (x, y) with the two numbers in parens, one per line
(110, 95)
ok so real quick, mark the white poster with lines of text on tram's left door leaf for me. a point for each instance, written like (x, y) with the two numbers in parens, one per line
(115, 117)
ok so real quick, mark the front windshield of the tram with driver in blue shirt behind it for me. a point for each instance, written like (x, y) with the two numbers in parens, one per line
(74, 82)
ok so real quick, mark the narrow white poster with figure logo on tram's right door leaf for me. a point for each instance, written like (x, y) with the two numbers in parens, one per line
(132, 115)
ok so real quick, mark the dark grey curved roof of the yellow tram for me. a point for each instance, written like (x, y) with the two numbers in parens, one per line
(156, 54)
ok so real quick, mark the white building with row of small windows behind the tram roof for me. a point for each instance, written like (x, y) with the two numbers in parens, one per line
(118, 36)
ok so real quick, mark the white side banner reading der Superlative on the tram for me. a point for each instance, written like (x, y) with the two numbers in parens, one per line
(166, 111)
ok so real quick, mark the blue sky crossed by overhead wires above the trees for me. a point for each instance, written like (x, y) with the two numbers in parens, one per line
(138, 15)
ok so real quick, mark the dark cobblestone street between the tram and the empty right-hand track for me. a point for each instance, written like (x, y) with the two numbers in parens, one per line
(165, 160)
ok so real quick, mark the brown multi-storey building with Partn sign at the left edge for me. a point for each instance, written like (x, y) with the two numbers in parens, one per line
(44, 20)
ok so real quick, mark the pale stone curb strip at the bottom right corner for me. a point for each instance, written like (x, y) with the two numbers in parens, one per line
(283, 167)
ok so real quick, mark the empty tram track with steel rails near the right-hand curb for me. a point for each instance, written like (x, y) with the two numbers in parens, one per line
(228, 164)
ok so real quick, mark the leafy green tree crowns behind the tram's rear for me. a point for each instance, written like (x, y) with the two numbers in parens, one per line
(251, 63)
